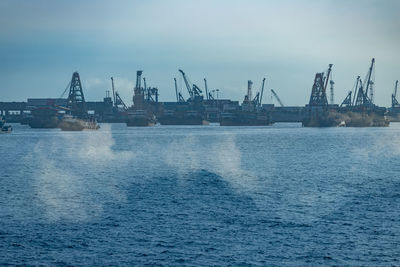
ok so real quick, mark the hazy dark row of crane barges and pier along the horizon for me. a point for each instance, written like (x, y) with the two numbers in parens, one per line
(202, 107)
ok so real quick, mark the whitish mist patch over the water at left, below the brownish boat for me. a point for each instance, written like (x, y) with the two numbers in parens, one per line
(78, 190)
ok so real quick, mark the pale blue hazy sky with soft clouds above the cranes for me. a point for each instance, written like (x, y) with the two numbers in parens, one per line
(227, 41)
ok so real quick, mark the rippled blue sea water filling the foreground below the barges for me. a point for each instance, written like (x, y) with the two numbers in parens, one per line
(200, 196)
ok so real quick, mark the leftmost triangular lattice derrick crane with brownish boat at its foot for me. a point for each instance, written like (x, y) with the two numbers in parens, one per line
(77, 118)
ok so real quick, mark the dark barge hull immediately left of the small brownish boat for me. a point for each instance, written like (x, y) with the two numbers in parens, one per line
(44, 117)
